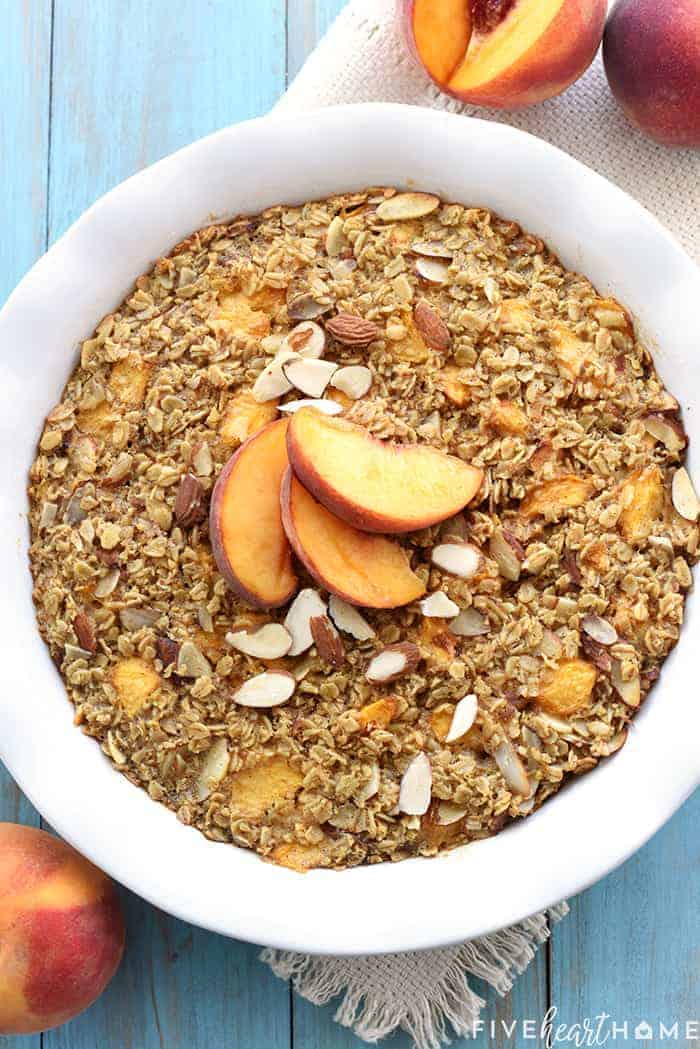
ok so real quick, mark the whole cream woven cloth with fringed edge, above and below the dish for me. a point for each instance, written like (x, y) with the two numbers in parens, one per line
(364, 59)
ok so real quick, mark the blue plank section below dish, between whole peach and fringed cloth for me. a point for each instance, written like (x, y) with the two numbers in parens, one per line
(180, 988)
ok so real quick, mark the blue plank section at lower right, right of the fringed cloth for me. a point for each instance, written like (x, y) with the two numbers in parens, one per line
(631, 945)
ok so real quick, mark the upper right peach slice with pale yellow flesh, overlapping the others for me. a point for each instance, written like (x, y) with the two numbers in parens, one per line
(374, 485)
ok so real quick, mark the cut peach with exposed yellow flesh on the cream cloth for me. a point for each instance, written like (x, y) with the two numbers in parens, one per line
(504, 53)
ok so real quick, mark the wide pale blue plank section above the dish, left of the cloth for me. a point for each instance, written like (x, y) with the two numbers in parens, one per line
(136, 81)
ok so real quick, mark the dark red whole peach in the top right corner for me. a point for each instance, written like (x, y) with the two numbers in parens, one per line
(652, 57)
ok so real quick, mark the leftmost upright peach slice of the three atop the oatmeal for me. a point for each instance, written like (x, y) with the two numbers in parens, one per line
(246, 524)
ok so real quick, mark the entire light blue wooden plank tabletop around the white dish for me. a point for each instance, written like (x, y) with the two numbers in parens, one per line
(91, 92)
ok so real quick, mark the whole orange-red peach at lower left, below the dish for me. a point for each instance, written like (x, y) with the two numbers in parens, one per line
(61, 931)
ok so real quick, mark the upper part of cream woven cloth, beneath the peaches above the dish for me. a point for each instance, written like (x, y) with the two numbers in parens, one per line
(364, 58)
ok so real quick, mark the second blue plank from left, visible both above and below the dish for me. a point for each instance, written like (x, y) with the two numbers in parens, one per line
(133, 82)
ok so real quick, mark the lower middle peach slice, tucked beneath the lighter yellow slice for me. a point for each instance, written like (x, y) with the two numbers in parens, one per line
(365, 570)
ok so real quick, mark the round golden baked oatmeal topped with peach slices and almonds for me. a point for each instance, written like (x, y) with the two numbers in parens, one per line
(440, 627)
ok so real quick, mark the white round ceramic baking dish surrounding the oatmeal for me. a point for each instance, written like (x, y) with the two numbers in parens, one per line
(587, 829)
